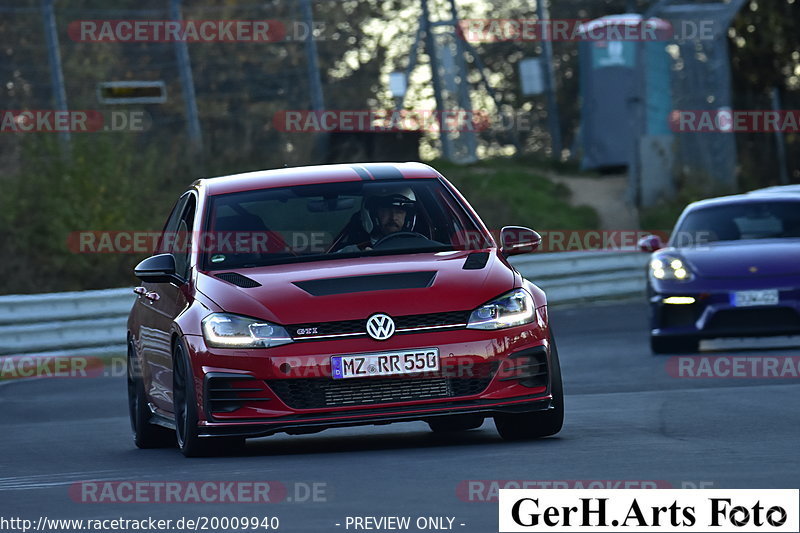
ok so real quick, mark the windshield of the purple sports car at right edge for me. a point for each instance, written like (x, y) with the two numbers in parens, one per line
(740, 221)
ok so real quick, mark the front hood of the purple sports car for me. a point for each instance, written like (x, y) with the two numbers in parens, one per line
(745, 258)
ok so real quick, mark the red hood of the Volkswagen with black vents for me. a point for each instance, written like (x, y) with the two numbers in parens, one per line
(281, 299)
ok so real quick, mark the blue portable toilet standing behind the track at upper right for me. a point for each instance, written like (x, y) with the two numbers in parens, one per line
(608, 81)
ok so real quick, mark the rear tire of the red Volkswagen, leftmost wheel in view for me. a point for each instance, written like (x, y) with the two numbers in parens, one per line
(145, 434)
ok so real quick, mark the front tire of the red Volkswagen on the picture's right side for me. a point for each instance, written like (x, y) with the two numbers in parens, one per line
(539, 424)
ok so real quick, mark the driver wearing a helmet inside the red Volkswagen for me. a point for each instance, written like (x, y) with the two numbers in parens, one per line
(389, 210)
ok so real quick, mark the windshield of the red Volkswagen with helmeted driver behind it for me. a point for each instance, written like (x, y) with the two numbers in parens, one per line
(335, 220)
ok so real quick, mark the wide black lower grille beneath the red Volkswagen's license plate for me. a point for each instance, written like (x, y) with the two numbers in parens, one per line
(315, 393)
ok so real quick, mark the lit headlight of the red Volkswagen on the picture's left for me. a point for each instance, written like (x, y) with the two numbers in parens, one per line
(224, 330)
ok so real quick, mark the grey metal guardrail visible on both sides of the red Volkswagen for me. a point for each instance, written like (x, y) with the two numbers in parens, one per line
(94, 321)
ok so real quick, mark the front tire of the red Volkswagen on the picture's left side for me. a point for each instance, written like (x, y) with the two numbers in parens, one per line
(185, 406)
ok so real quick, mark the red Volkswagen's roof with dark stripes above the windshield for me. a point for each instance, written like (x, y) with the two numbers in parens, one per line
(292, 176)
